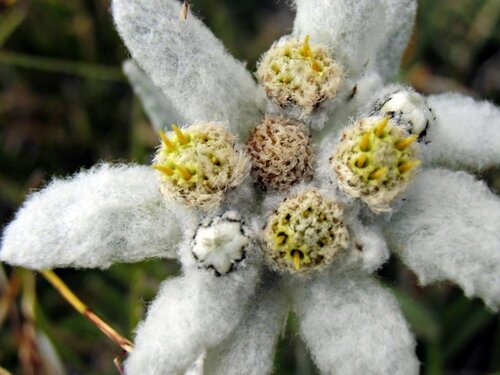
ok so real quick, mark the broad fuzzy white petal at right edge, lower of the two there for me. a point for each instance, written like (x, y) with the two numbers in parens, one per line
(449, 229)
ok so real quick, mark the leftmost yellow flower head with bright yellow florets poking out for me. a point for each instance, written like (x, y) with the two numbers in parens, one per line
(198, 164)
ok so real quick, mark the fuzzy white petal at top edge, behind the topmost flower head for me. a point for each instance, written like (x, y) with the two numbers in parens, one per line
(363, 34)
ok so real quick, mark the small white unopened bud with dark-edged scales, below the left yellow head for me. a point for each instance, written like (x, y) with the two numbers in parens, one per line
(221, 243)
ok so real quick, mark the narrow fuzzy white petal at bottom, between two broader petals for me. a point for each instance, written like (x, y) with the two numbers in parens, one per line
(250, 348)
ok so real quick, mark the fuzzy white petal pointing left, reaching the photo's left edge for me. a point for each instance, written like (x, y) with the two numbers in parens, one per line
(110, 213)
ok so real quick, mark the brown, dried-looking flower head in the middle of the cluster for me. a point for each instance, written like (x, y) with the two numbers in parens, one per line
(281, 153)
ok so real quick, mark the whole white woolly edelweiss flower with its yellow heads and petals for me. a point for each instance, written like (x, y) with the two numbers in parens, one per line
(306, 234)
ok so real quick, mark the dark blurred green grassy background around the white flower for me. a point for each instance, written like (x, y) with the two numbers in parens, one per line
(64, 104)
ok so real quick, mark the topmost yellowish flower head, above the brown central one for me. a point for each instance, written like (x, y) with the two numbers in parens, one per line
(294, 72)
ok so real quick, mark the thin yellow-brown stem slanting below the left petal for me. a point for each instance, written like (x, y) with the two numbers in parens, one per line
(83, 309)
